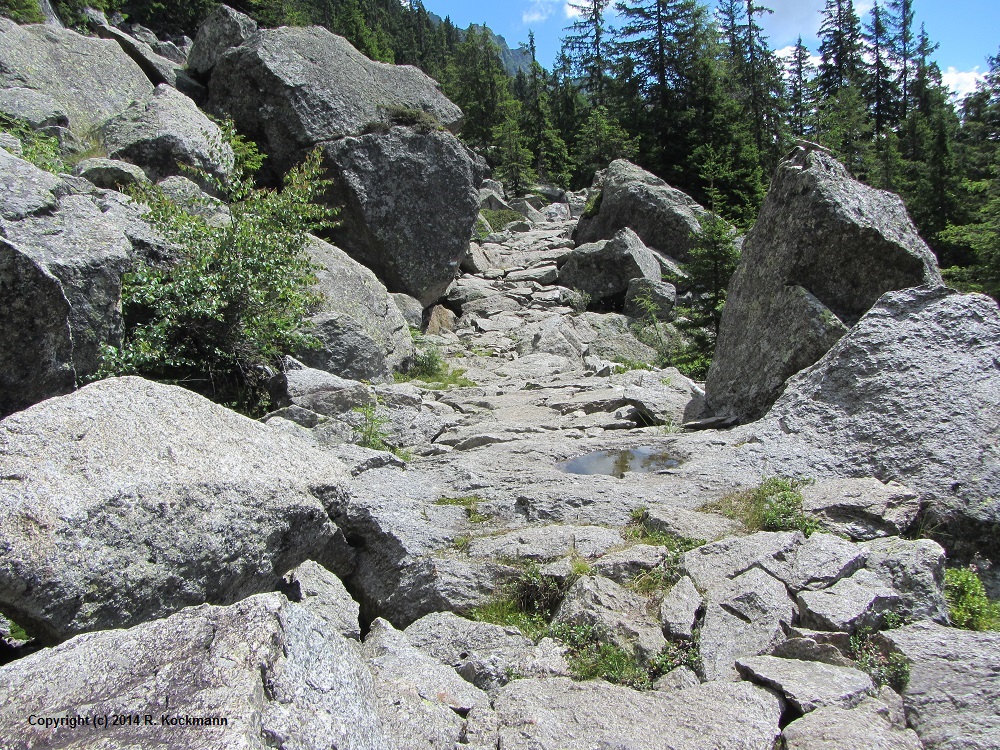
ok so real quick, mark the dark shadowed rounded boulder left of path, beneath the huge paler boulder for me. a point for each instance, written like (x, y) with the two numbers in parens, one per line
(409, 203)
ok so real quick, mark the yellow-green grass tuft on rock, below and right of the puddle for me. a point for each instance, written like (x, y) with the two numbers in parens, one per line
(773, 505)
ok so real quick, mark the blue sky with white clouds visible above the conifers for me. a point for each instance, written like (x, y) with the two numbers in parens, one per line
(967, 30)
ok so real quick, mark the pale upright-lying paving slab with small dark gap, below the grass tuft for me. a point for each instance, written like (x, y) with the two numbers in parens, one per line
(746, 617)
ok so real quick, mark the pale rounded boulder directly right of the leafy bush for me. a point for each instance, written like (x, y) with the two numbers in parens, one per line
(349, 290)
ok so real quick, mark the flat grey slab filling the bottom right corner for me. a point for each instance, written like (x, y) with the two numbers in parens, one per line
(953, 696)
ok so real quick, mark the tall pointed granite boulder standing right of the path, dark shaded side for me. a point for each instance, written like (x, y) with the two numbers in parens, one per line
(822, 252)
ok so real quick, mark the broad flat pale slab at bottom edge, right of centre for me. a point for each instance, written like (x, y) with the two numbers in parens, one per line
(558, 714)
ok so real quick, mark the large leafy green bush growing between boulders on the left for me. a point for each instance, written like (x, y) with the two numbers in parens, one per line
(234, 299)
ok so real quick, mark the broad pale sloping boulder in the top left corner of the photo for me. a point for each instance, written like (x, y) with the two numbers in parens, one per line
(91, 80)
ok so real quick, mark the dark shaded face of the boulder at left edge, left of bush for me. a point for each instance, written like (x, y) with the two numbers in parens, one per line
(36, 343)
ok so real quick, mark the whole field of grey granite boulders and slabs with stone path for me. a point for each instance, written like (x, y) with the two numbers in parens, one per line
(547, 559)
